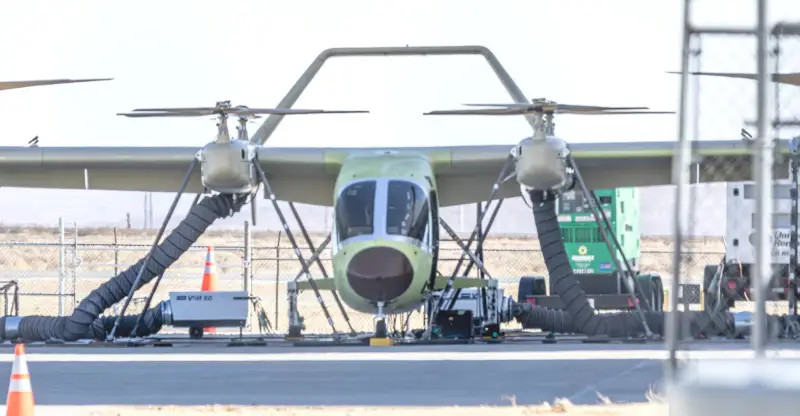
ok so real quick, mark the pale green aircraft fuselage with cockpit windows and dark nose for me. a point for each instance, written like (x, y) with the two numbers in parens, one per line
(380, 273)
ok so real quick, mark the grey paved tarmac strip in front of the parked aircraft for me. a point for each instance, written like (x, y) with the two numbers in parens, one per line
(395, 376)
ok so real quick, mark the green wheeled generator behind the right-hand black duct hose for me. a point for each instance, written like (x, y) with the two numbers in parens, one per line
(592, 262)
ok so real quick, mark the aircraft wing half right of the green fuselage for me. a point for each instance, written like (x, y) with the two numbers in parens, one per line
(469, 173)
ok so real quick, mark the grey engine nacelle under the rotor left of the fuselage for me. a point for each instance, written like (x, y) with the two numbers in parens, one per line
(228, 167)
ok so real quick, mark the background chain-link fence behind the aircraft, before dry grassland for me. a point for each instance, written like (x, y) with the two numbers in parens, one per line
(49, 271)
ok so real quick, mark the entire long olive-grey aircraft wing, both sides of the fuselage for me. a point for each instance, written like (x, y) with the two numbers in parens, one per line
(307, 175)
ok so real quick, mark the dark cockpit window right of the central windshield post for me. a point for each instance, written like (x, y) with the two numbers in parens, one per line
(406, 210)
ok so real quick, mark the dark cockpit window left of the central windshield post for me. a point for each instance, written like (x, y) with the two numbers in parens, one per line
(355, 210)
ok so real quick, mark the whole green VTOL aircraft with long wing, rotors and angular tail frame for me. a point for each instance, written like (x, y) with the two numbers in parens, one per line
(386, 200)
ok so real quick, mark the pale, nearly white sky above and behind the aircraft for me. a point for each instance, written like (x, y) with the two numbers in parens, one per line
(193, 53)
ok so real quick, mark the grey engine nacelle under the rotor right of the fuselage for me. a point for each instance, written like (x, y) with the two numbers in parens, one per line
(542, 165)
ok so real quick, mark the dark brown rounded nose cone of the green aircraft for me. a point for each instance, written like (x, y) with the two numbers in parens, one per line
(379, 273)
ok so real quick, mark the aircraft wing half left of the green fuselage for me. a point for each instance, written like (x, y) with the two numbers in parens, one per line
(296, 174)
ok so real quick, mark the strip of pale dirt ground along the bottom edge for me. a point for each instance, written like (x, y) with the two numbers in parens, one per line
(638, 409)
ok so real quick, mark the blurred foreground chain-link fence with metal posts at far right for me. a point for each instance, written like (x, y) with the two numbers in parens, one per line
(726, 102)
